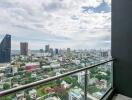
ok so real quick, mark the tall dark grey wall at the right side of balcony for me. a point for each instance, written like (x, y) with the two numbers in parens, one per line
(122, 45)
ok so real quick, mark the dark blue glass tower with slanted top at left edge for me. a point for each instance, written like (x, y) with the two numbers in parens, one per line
(5, 49)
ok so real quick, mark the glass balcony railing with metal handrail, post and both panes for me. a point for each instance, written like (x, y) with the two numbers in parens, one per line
(88, 83)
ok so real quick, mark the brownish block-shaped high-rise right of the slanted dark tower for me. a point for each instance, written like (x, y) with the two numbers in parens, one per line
(24, 48)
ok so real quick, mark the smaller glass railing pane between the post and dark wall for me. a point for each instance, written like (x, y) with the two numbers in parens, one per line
(100, 80)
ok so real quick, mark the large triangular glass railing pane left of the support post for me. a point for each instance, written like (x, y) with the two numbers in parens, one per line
(67, 88)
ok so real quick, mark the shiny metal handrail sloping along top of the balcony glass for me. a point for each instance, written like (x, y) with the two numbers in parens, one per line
(30, 85)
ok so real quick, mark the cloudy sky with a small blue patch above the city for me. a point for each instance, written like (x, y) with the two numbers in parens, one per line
(77, 24)
